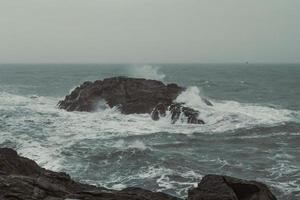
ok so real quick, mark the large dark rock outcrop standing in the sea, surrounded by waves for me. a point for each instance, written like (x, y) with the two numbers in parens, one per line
(130, 95)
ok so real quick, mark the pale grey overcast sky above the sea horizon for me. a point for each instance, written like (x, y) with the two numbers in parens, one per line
(149, 31)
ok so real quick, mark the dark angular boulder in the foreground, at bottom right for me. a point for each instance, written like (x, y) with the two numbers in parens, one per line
(215, 187)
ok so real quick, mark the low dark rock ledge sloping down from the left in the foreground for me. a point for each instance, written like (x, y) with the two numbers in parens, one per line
(22, 179)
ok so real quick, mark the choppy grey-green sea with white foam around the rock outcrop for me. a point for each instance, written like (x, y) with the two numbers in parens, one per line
(252, 131)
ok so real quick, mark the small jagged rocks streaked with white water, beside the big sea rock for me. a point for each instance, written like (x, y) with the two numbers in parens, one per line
(176, 110)
